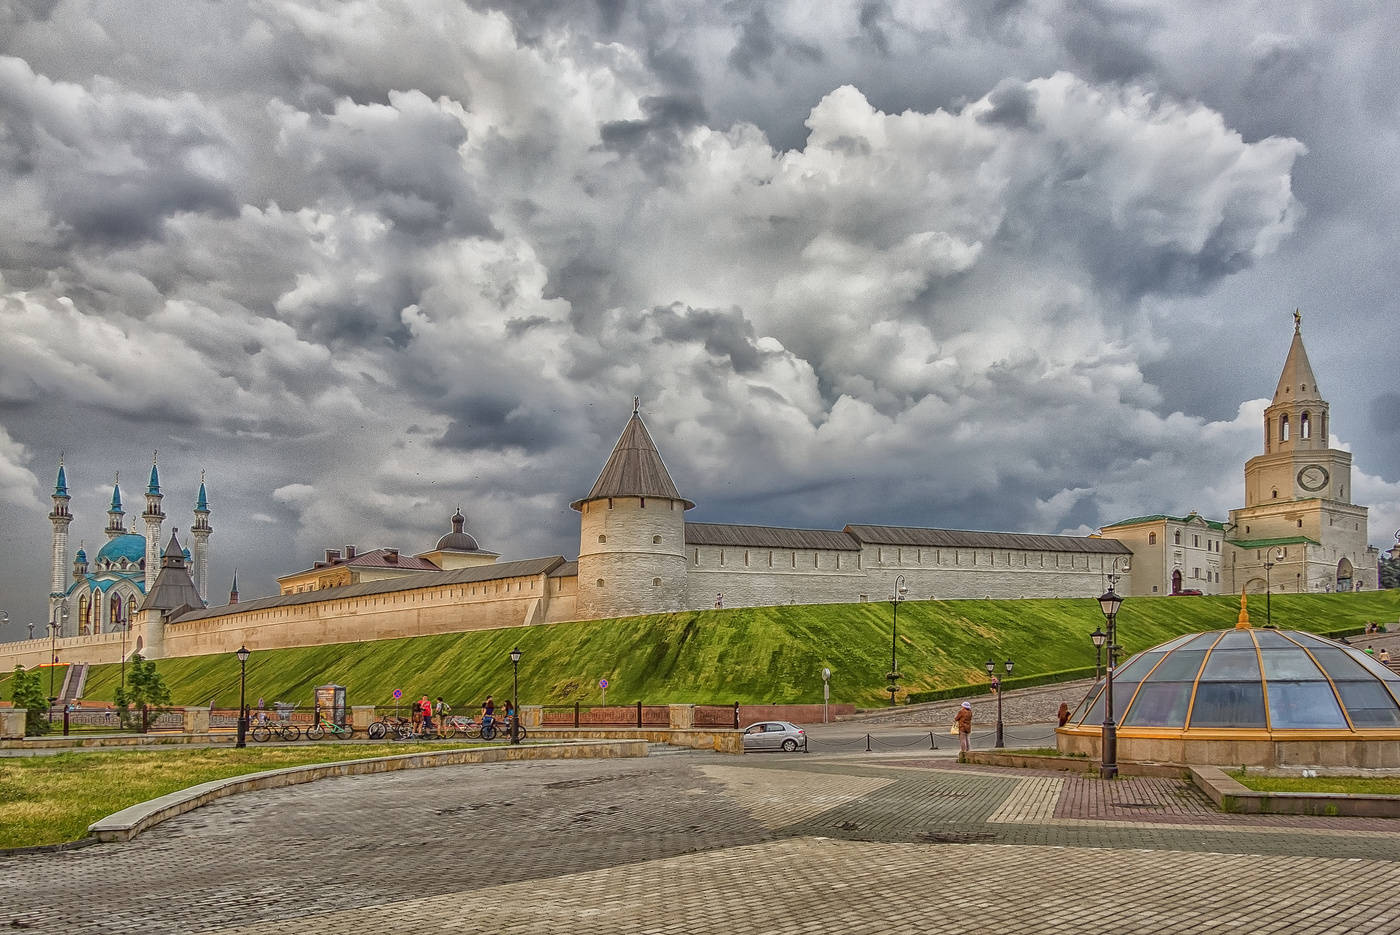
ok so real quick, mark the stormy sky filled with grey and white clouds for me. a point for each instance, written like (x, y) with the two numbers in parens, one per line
(1013, 265)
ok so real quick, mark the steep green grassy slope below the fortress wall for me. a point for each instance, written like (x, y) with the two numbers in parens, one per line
(750, 656)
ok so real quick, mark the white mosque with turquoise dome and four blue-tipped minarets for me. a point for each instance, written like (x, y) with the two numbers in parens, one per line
(106, 594)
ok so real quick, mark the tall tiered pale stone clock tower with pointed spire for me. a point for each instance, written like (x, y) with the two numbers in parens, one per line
(1298, 530)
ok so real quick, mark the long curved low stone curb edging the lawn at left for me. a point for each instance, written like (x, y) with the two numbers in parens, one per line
(129, 822)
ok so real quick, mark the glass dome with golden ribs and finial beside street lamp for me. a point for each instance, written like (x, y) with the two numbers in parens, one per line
(1249, 680)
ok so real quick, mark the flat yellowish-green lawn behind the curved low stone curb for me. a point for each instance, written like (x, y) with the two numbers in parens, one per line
(47, 800)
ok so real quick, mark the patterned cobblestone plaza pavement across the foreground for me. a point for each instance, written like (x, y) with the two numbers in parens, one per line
(703, 843)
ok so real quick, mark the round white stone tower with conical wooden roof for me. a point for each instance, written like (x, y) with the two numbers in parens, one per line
(632, 545)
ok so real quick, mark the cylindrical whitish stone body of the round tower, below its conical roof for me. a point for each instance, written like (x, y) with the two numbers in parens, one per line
(635, 548)
